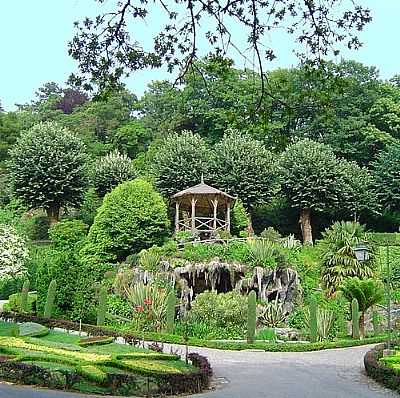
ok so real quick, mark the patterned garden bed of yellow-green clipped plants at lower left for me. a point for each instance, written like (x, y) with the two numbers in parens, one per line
(58, 361)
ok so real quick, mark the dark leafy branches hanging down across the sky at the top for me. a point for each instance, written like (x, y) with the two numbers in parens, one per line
(106, 50)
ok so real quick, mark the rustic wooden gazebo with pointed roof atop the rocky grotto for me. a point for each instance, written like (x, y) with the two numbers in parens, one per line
(203, 209)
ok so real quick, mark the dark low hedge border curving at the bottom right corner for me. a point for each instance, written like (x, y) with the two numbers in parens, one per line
(378, 371)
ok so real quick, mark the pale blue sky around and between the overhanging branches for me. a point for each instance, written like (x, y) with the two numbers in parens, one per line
(34, 36)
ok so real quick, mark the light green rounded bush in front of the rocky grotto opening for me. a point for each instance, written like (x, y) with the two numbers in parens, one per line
(224, 310)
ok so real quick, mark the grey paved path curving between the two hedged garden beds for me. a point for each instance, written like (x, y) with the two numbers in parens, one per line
(324, 374)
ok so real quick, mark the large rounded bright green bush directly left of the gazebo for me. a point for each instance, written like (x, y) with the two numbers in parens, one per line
(132, 217)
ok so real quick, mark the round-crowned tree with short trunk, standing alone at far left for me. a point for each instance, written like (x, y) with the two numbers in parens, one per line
(48, 168)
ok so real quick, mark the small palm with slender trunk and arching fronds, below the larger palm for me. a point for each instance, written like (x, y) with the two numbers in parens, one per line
(368, 292)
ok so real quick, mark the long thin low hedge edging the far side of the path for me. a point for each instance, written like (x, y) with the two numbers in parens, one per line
(135, 338)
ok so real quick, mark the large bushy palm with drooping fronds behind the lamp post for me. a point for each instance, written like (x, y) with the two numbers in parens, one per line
(338, 257)
